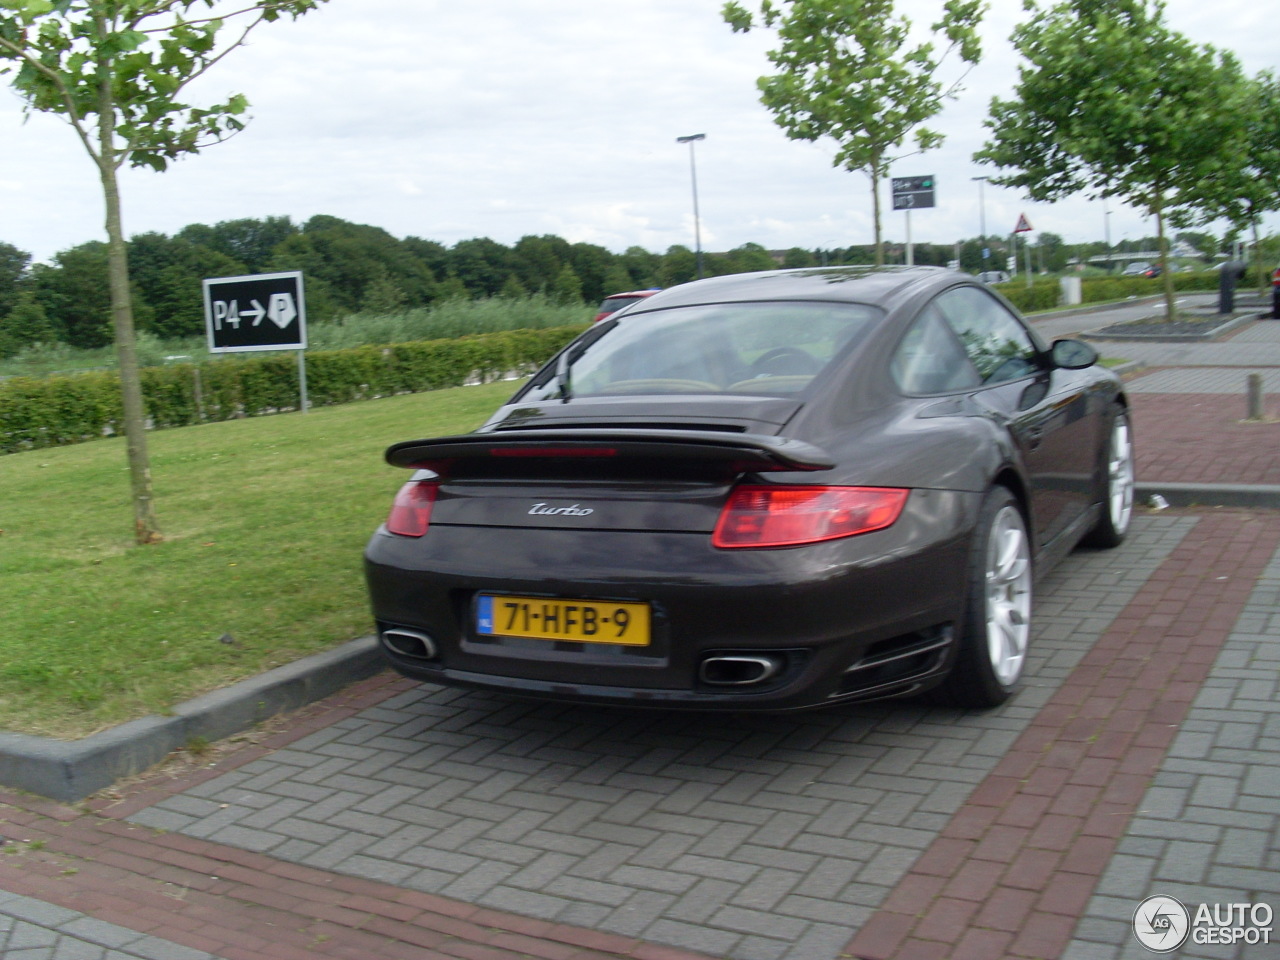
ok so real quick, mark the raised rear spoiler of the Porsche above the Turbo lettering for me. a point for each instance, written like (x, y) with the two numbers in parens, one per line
(715, 450)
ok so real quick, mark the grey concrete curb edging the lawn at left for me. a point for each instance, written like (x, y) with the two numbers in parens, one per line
(72, 770)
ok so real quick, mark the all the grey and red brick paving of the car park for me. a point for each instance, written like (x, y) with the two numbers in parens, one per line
(401, 821)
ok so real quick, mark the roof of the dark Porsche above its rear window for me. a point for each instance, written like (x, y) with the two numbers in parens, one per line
(877, 286)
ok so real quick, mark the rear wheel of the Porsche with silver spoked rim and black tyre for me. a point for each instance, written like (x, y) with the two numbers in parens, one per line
(996, 628)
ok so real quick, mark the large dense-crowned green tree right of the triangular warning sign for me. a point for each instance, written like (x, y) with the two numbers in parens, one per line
(1114, 103)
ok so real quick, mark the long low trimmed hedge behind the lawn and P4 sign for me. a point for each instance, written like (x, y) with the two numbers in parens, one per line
(60, 410)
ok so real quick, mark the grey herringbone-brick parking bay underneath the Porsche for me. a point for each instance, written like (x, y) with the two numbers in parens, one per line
(746, 838)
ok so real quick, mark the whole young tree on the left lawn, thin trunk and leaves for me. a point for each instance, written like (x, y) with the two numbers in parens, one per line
(115, 71)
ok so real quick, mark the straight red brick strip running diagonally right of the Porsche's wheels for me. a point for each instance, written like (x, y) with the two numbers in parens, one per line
(1013, 871)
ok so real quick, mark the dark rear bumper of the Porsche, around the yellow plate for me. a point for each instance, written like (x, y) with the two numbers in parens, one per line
(856, 619)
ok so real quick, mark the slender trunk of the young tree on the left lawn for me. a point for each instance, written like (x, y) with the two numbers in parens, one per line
(145, 527)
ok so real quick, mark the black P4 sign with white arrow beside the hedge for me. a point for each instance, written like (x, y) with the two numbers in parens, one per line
(267, 312)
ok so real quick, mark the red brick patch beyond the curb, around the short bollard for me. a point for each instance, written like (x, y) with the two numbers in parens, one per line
(1187, 438)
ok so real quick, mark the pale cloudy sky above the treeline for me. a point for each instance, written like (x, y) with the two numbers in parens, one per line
(505, 118)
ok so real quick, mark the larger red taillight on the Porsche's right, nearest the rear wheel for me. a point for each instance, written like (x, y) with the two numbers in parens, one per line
(789, 516)
